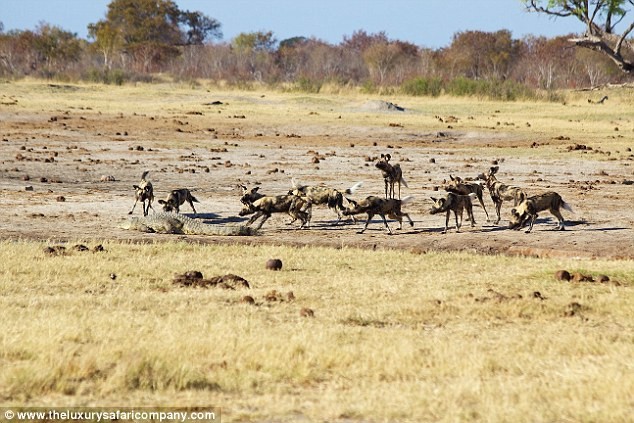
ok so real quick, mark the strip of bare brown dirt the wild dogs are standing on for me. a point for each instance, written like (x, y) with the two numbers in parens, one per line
(54, 160)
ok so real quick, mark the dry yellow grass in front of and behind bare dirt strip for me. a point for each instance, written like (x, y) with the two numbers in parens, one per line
(396, 336)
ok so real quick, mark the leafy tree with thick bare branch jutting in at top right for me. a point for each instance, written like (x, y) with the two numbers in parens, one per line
(601, 18)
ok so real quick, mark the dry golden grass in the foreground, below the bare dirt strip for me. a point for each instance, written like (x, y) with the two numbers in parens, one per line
(396, 336)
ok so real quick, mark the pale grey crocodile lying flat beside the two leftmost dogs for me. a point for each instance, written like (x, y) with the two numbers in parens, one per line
(173, 223)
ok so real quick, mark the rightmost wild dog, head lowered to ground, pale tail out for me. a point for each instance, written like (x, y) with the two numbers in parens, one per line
(527, 210)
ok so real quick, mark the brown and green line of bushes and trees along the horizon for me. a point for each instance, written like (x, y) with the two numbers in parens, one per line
(187, 48)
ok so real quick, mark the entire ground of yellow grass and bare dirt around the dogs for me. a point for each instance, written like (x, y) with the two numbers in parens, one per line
(415, 327)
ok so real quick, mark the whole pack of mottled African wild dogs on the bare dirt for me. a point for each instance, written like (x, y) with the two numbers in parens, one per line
(300, 199)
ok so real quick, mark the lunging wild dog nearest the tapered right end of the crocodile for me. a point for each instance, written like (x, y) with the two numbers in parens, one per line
(296, 207)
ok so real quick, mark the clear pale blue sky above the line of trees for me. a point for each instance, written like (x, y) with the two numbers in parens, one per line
(426, 23)
